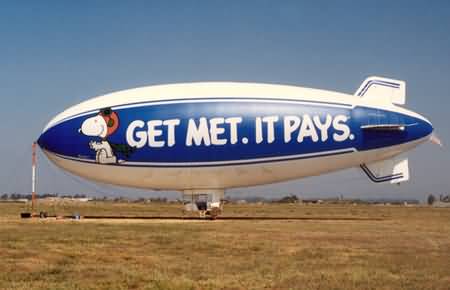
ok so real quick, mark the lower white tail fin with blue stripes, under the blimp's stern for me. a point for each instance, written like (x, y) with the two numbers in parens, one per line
(394, 170)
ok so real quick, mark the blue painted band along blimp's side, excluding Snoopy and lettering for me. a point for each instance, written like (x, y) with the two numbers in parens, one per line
(65, 138)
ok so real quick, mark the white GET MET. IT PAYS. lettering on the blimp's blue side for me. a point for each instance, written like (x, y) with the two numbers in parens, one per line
(221, 131)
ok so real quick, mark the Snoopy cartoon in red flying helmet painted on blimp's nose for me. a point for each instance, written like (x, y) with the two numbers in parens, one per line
(103, 125)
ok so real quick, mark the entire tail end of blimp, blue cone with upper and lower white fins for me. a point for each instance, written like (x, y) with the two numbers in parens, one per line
(392, 127)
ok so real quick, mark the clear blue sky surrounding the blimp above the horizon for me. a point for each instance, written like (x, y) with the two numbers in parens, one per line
(54, 54)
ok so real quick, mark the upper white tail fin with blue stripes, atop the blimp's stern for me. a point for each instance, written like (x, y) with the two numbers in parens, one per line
(383, 90)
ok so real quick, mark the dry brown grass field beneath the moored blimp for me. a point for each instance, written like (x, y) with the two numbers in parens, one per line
(408, 249)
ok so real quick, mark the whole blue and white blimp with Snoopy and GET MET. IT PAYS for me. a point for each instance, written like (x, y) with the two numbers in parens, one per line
(204, 138)
